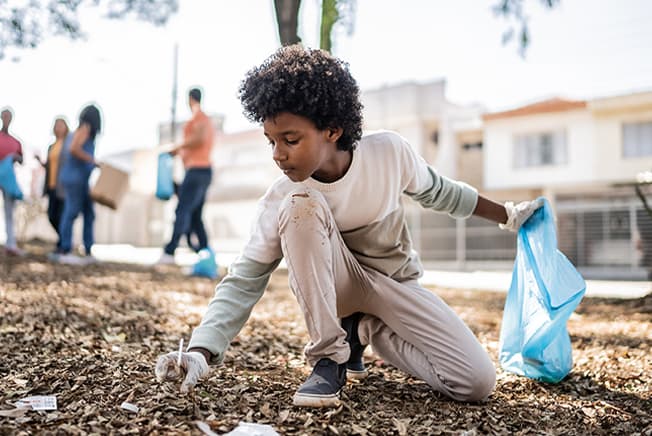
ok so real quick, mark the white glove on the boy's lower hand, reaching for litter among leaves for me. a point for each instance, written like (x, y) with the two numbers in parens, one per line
(193, 364)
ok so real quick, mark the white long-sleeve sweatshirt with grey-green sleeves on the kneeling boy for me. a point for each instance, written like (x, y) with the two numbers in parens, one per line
(366, 206)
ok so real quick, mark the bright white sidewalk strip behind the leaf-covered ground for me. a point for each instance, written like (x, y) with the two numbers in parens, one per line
(477, 280)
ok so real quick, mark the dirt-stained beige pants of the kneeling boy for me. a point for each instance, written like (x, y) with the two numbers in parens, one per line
(406, 325)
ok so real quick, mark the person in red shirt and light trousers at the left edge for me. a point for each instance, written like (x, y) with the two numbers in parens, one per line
(9, 146)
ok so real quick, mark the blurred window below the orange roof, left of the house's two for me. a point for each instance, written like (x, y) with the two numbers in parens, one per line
(539, 149)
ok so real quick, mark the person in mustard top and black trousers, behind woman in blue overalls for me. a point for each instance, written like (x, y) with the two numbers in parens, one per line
(51, 165)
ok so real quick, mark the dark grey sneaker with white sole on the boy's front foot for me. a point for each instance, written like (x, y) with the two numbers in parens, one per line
(322, 387)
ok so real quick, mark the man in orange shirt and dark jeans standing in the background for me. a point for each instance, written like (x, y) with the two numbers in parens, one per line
(195, 152)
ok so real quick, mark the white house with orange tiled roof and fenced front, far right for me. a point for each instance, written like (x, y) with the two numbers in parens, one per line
(584, 157)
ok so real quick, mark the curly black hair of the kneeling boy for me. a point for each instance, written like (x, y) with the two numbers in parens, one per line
(306, 82)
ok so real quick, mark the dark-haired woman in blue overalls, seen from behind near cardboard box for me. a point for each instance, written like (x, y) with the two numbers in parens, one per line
(77, 160)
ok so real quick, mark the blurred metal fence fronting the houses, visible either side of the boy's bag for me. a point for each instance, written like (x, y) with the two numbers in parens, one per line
(605, 238)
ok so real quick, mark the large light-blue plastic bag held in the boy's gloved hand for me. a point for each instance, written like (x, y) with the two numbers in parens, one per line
(545, 290)
